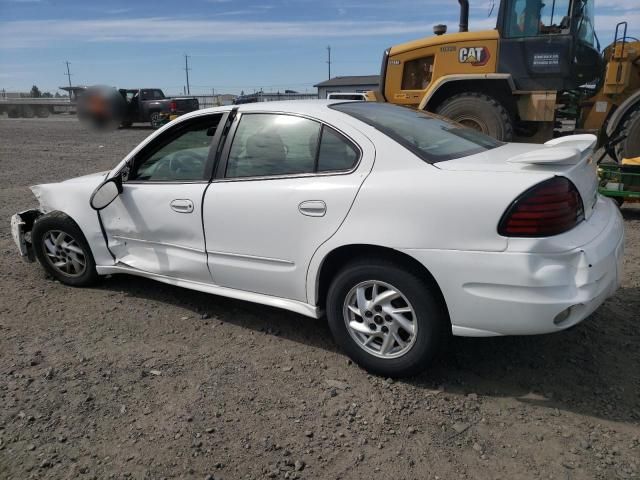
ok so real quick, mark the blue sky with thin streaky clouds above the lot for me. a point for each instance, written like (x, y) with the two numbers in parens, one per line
(233, 45)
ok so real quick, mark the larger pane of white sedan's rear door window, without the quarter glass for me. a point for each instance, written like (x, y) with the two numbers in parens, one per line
(272, 144)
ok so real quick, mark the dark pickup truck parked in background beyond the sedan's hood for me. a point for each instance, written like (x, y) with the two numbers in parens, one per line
(150, 105)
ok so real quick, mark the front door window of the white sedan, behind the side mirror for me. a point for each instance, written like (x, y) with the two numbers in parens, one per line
(180, 156)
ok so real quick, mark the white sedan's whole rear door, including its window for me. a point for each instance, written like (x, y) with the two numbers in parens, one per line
(284, 186)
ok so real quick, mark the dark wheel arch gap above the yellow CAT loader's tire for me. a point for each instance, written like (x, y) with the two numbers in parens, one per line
(498, 89)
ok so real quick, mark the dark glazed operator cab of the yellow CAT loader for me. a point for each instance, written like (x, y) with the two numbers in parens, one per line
(548, 44)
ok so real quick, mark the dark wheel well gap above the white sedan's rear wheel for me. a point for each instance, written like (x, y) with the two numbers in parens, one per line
(341, 256)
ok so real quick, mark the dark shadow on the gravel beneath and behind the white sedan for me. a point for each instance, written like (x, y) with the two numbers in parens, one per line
(592, 369)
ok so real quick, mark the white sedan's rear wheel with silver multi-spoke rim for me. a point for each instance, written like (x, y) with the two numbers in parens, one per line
(428, 318)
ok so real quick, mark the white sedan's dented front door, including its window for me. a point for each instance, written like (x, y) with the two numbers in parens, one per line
(155, 224)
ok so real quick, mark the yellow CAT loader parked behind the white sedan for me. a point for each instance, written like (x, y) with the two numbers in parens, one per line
(538, 74)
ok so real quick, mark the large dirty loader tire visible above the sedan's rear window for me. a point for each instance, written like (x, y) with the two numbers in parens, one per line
(479, 112)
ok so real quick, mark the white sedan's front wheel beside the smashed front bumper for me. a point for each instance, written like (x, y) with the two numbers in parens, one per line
(72, 253)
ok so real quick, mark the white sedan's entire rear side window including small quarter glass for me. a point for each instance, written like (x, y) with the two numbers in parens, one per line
(267, 145)
